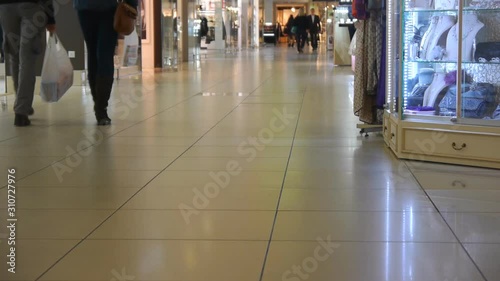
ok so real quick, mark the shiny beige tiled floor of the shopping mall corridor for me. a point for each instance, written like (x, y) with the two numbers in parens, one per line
(245, 167)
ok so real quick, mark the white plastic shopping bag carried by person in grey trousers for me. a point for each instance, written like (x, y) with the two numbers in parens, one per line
(57, 71)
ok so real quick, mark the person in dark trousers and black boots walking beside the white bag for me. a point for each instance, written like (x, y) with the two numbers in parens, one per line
(96, 20)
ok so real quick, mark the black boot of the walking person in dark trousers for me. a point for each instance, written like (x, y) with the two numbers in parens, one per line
(103, 87)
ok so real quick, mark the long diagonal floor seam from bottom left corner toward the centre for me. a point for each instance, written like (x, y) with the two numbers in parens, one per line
(141, 188)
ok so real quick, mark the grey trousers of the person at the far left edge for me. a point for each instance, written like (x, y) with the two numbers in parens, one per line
(23, 25)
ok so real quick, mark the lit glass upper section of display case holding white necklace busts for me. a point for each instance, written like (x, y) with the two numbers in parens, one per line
(447, 75)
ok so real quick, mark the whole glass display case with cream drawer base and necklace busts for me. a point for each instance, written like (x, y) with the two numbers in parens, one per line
(443, 74)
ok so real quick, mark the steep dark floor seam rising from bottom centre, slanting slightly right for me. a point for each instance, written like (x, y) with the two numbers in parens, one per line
(268, 247)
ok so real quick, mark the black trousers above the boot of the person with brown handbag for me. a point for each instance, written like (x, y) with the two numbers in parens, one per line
(101, 39)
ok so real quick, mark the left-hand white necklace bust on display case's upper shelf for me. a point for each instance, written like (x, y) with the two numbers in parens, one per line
(439, 25)
